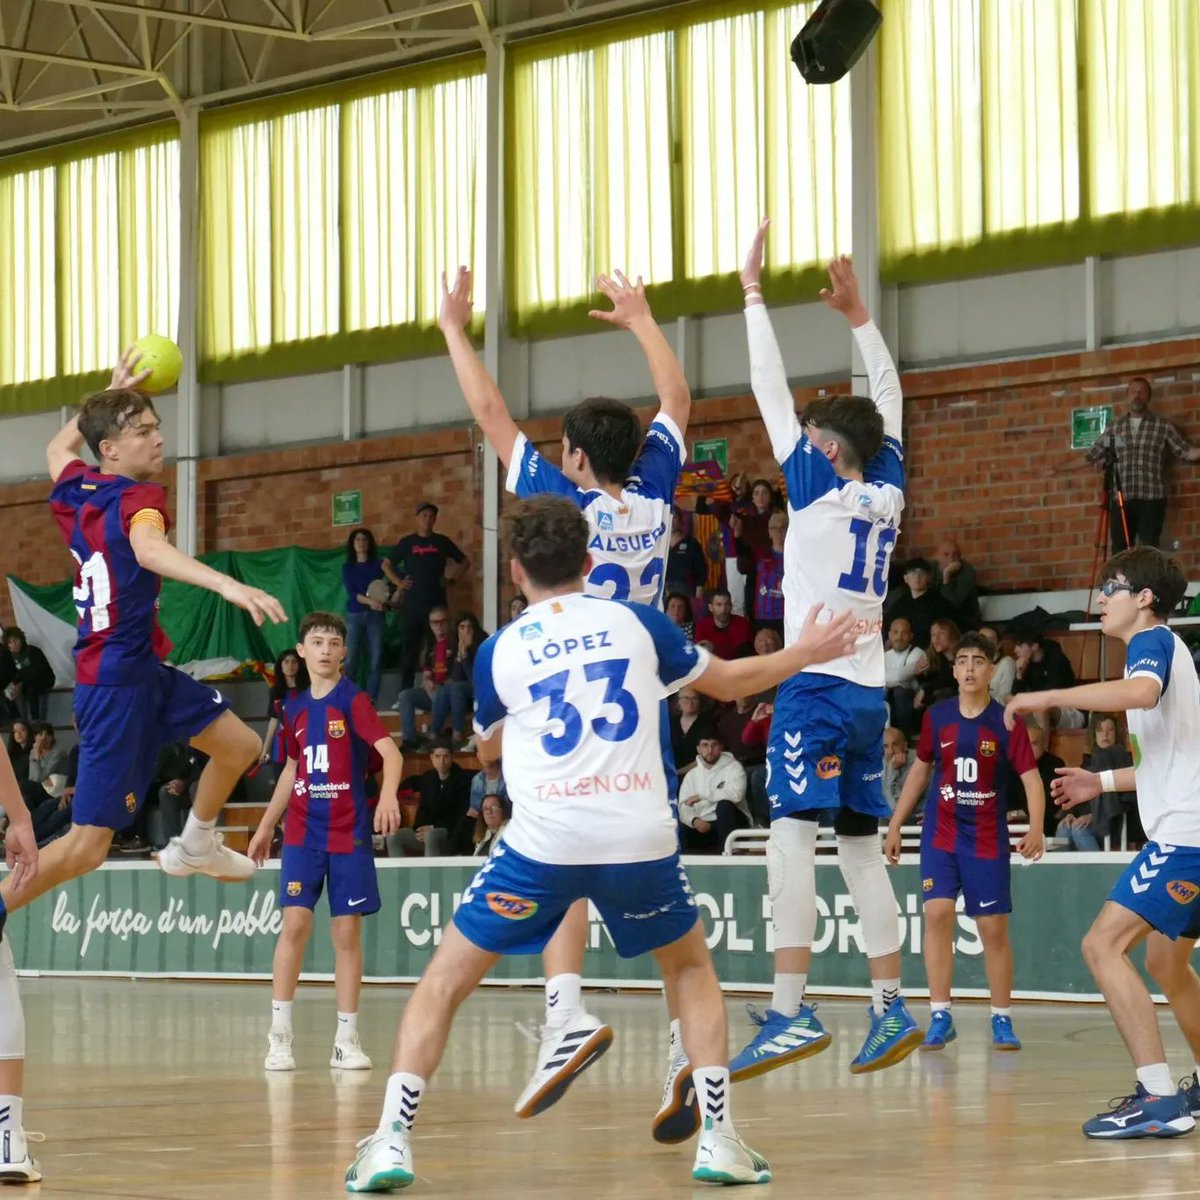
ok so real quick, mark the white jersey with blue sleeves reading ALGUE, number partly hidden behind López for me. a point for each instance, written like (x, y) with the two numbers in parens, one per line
(631, 537)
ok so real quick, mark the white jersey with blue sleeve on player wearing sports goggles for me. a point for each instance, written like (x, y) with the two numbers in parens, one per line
(1167, 739)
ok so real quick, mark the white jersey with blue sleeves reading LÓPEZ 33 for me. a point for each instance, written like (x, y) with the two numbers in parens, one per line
(579, 683)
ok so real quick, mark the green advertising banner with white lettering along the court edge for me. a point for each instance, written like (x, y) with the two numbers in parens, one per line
(131, 920)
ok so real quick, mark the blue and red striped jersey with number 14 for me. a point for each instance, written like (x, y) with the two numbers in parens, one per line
(333, 743)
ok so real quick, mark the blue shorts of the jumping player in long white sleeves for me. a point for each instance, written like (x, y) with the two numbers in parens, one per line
(826, 748)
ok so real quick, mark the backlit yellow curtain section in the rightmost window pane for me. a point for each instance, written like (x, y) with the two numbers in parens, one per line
(1143, 79)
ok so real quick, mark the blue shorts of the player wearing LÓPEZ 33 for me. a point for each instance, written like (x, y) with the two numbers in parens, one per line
(514, 904)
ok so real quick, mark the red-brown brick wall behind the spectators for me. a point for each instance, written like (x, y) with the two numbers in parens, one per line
(986, 449)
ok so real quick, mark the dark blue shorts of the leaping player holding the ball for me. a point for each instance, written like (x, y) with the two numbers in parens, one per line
(122, 734)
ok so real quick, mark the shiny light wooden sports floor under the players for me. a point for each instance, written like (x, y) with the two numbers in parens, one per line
(157, 1090)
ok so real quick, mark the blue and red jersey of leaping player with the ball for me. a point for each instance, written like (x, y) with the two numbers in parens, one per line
(117, 599)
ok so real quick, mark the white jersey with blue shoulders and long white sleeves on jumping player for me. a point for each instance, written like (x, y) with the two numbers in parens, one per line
(841, 533)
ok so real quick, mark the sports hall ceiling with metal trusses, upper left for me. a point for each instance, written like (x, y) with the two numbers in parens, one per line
(73, 65)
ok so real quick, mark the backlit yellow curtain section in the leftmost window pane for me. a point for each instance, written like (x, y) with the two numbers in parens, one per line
(28, 327)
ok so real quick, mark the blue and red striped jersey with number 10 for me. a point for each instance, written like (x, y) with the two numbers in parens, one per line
(976, 760)
